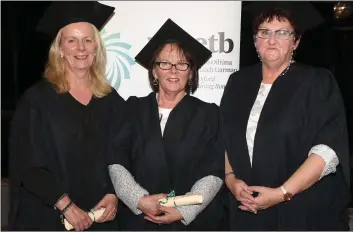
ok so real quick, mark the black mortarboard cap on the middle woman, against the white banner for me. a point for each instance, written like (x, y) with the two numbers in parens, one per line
(169, 32)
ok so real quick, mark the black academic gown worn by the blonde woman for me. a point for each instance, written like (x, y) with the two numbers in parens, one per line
(69, 141)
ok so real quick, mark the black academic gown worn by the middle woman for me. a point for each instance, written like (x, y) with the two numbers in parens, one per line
(188, 151)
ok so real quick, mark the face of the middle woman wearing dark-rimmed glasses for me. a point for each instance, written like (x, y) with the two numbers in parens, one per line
(172, 80)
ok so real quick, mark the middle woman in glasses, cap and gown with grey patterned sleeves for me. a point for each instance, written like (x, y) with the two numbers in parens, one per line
(170, 141)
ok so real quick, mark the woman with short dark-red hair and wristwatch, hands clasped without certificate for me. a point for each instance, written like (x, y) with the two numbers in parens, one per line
(285, 131)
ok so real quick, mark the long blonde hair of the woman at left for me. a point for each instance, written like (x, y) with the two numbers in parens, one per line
(55, 70)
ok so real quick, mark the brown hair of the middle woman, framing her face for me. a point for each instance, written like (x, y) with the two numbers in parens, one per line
(194, 83)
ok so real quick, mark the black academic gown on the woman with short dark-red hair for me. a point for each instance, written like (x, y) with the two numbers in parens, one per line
(303, 109)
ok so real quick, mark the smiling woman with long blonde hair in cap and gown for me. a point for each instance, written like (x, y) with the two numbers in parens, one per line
(60, 131)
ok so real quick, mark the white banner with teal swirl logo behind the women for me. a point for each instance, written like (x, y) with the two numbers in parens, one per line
(215, 24)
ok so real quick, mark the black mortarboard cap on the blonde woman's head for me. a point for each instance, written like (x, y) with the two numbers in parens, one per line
(61, 13)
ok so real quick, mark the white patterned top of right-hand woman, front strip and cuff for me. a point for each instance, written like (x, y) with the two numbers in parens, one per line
(324, 151)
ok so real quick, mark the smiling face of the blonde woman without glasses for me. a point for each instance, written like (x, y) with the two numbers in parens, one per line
(78, 46)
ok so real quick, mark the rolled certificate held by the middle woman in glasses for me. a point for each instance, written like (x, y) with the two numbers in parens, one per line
(171, 201)
